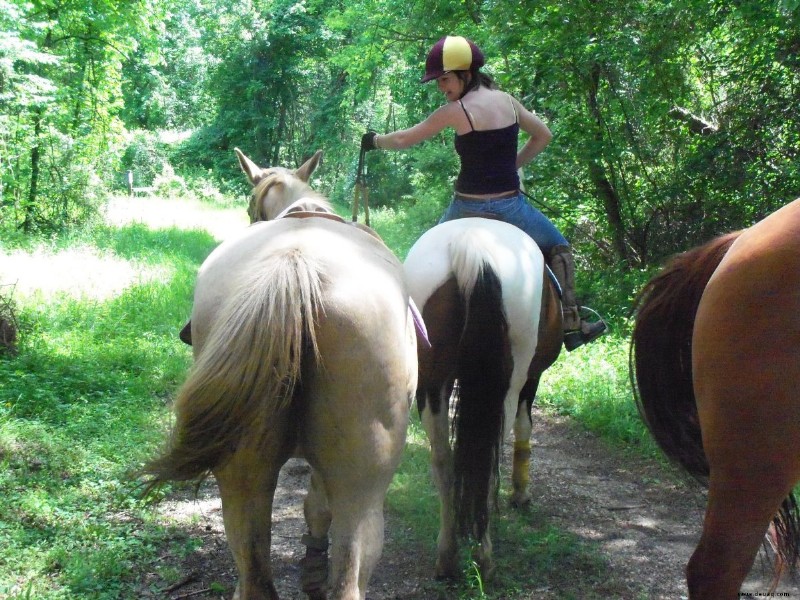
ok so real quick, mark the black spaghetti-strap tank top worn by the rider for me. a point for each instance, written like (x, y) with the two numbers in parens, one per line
(488, 159)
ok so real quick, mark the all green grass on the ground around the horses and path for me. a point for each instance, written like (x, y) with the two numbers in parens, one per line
(86, 402)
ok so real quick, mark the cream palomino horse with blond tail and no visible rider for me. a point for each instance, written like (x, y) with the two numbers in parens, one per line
(304, 345)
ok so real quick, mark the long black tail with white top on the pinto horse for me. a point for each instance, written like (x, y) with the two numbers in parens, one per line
(483, 370)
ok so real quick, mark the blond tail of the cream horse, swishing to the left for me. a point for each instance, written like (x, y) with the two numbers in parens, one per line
(246, 373)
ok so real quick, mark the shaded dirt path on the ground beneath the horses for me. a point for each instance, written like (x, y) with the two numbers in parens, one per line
(644, 521)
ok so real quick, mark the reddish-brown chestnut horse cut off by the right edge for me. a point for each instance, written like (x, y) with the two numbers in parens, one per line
(715, 360)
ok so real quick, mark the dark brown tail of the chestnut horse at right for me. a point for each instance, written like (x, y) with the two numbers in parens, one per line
(660, 359)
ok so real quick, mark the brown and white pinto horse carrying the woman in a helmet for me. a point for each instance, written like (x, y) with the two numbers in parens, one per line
(494, 323)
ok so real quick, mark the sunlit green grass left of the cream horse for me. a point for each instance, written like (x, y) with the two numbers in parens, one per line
(80, 407)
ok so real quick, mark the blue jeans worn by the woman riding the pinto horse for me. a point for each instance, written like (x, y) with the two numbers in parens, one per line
(514, 210)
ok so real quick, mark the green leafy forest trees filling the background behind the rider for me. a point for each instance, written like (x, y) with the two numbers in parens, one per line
(673, 122)
